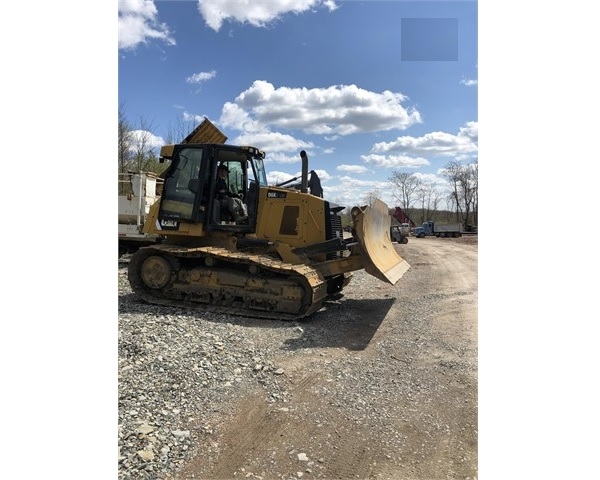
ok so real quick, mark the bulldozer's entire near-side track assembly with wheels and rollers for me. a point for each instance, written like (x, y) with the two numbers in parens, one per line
(219, 280)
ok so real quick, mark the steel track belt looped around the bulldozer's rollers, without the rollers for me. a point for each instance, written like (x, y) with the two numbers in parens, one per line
(311, 279)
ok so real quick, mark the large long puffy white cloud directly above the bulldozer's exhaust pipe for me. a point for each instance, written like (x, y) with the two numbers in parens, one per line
(334, 110)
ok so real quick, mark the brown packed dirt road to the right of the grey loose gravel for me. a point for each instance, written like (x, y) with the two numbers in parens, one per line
(382, 384)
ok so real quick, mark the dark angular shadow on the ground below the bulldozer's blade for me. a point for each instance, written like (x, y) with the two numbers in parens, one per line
(349, 324)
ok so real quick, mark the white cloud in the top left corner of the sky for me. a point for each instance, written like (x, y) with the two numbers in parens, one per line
(138, 22)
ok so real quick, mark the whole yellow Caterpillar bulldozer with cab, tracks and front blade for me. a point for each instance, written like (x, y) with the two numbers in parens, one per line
(280, 255)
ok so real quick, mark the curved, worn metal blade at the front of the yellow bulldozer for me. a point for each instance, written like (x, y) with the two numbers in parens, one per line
(372, 229)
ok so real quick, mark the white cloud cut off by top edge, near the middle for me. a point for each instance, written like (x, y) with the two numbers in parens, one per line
(258, 13)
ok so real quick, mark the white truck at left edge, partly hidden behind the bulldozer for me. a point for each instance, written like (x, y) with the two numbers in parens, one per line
(137, 193)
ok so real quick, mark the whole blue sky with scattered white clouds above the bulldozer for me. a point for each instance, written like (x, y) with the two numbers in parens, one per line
(366, 88)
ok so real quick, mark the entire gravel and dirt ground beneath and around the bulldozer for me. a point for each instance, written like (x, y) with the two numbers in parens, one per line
(381, 383)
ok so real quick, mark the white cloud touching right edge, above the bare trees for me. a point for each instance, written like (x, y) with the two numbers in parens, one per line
(434, 143)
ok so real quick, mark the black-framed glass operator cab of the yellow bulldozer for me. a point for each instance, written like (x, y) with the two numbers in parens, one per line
(190, 195)
